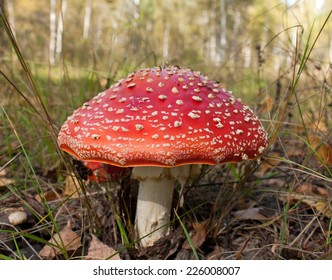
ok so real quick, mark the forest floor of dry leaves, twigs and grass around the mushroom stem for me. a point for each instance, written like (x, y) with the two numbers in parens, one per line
(278, 210)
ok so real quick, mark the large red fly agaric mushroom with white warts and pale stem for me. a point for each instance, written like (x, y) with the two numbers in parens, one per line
(160, 121)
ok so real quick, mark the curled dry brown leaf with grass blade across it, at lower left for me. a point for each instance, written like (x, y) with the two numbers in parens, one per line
(69, 241)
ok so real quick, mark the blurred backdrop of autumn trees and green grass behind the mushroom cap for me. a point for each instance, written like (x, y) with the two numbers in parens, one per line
(77, 48)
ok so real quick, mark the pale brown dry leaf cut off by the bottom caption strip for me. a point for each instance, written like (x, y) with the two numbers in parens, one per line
(100, 251)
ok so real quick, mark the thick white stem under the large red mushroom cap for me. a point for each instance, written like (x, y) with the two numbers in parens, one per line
(154, 202)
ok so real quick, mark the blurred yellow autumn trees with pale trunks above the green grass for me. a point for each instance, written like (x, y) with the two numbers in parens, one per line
(210, 35)
